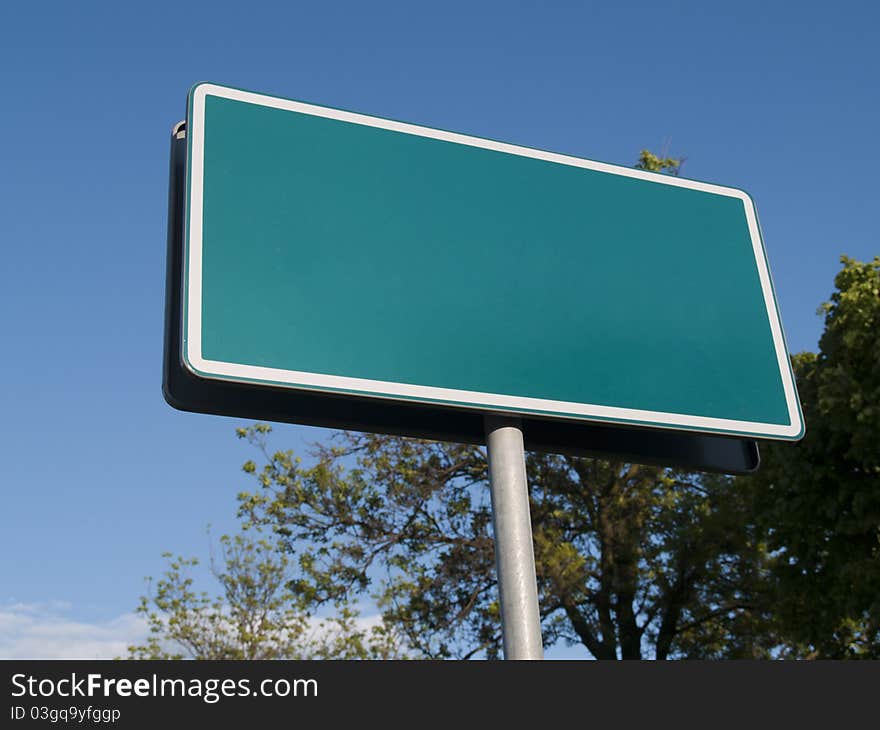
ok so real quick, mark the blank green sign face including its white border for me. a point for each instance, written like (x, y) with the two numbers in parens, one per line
(339, 252)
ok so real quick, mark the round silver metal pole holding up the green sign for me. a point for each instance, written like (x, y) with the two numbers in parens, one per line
(514, 552)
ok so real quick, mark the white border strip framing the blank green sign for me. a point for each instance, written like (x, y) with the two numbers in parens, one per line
(449, 396)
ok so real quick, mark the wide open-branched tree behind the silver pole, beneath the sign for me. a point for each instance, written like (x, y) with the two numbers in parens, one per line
(632, 561)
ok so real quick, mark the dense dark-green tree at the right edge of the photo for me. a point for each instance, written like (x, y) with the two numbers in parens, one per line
(819, 500)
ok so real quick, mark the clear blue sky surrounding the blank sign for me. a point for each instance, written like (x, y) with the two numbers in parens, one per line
(99, 475)
